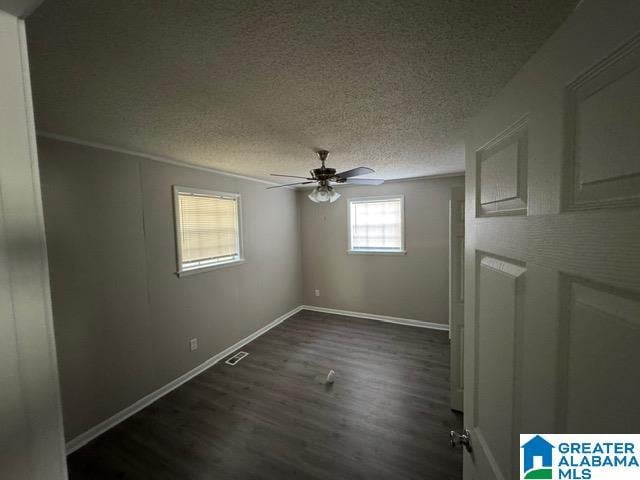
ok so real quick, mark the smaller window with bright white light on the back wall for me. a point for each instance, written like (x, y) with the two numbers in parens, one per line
(376, 225)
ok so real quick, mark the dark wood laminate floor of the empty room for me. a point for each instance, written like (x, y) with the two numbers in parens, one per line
(269, 417)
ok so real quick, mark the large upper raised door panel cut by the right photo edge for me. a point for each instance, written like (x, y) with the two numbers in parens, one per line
(603, 140)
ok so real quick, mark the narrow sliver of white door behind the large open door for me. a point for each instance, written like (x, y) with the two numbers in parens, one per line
(456, 296)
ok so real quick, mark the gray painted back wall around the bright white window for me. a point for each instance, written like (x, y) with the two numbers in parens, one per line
(412, 286)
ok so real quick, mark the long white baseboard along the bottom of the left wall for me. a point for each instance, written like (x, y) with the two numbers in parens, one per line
(86, 437)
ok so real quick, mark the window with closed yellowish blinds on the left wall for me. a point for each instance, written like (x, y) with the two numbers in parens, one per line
(208, 229)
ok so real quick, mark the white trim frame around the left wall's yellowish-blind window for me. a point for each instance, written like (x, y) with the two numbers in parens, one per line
(183, 272)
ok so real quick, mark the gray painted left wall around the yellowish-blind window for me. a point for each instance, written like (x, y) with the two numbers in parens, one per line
(123, 319)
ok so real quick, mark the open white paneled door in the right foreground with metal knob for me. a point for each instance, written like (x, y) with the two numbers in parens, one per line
(552, 318)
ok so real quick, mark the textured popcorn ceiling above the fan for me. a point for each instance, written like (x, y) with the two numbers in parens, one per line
(253, 87)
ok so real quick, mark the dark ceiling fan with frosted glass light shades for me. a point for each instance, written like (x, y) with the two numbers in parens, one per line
(326, 176)
